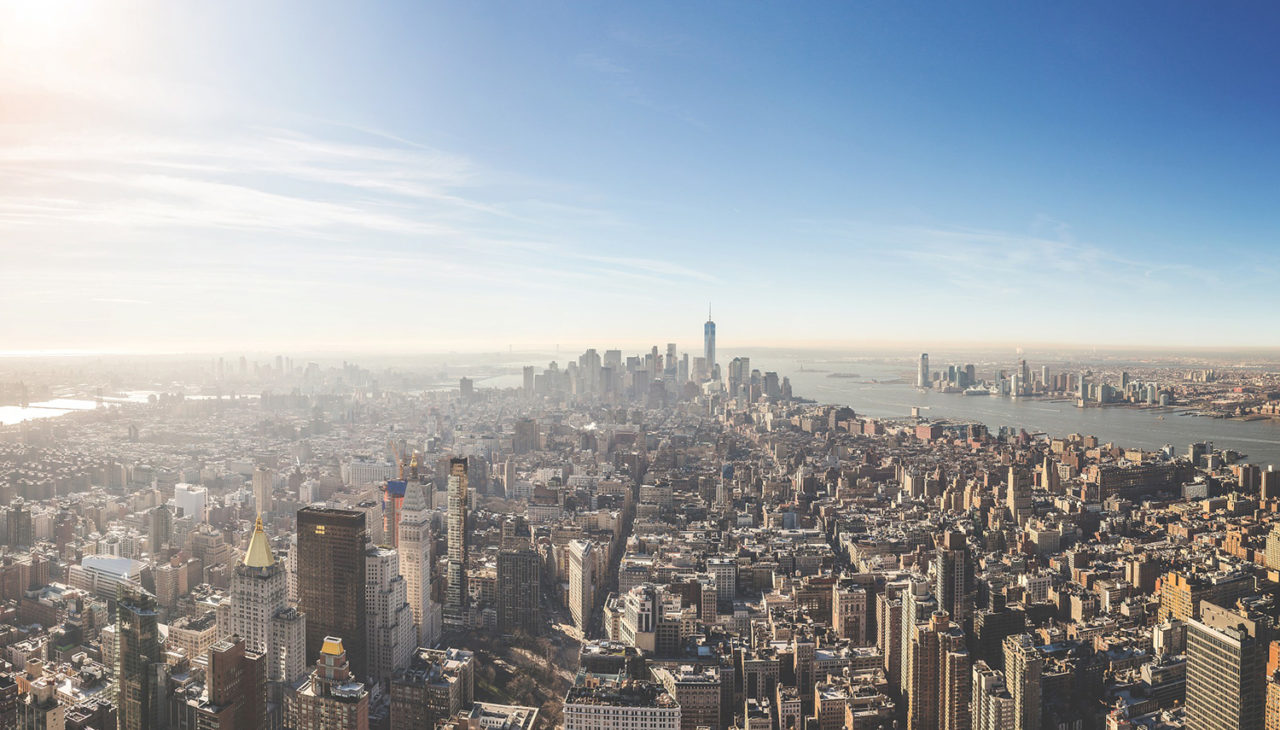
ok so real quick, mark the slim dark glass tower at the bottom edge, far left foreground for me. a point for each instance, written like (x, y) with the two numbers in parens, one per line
(141, 693)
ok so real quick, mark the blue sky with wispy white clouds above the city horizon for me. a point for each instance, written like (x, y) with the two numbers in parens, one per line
(427, 176)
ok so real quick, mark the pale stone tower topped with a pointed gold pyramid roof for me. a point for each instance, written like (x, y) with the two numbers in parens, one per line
(262, 615)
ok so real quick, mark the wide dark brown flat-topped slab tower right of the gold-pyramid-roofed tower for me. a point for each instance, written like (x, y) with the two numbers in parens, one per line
(332, 582)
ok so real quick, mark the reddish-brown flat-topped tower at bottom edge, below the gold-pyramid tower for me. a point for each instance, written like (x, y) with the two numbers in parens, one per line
(237, 688)
